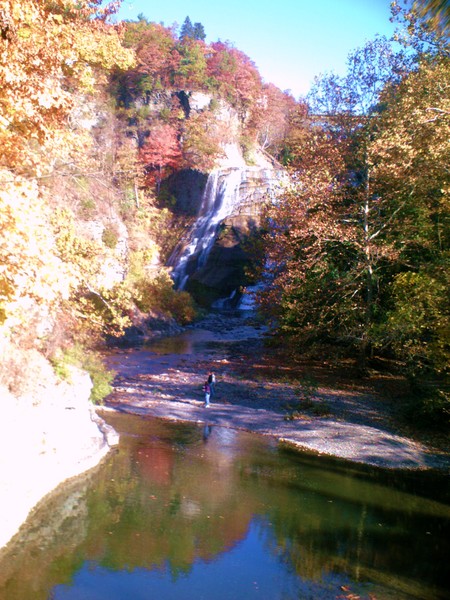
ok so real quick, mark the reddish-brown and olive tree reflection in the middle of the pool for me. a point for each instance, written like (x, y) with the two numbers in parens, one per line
(172, 511)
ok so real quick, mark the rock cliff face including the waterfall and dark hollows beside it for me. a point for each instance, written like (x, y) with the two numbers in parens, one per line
(211, 259)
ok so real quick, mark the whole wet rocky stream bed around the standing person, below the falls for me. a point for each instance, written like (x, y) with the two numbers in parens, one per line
(252, 393)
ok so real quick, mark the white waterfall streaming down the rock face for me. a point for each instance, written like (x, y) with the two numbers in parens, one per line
(225, 192)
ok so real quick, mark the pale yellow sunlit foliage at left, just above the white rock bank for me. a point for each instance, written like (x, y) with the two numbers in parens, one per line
(44, 262)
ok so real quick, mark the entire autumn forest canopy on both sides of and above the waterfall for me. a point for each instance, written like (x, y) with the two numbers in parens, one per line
(95, 116)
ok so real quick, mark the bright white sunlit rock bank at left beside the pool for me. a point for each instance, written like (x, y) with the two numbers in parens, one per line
(50, 434)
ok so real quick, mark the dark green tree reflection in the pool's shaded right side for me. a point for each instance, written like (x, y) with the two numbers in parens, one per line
(325, 523)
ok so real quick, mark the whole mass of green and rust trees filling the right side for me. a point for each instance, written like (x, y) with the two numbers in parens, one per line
(358, 246)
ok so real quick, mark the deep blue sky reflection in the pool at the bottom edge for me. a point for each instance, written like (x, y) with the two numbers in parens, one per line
(225, 577)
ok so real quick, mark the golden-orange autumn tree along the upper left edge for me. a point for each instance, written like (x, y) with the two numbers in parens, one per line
(52, 54)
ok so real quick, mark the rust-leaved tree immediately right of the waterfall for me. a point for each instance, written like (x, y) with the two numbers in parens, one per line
(314, 256)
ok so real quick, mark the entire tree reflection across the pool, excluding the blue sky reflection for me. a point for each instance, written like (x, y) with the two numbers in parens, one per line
(166, 500)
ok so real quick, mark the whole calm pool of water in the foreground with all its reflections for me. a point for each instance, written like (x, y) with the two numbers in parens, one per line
(183, 511)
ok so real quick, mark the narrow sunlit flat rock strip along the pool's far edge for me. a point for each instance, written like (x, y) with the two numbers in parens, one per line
(354, 442)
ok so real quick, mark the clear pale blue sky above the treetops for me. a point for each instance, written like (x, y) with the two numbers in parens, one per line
(290, 41)
